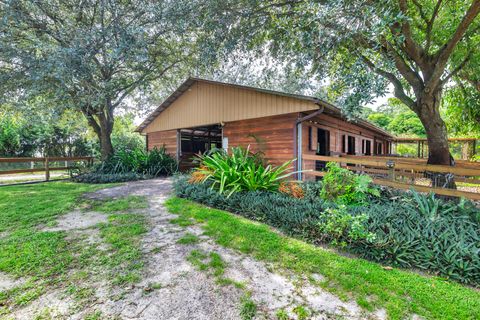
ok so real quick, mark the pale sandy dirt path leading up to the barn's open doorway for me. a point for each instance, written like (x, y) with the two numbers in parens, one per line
(188, 293)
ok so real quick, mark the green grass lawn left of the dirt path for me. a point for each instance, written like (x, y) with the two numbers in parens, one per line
(65, 259)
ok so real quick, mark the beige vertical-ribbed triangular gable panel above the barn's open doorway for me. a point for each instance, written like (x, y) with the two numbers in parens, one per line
(209, 103)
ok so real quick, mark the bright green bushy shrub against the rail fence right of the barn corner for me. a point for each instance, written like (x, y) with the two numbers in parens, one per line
(345, 187)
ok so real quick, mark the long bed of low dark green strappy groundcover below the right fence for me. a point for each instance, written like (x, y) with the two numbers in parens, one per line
(395, 228)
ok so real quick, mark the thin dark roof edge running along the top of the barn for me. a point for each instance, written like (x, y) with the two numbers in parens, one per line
(187, 84)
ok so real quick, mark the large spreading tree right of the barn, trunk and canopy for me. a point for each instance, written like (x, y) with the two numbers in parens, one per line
(362, 45)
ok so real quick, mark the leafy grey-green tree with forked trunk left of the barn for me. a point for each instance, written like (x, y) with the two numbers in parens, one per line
(93, 55)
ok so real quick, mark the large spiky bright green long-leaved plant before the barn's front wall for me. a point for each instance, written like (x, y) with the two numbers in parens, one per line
(241, 170)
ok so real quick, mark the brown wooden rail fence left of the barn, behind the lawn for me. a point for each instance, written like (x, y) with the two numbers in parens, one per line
(45, 161)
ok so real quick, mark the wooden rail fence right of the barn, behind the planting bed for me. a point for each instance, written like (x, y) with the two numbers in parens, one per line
(403, 173)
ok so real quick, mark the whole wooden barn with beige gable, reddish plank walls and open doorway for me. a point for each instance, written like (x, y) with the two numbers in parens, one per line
(203, 114)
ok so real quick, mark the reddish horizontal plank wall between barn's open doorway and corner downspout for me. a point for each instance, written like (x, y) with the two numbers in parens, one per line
(271, 135)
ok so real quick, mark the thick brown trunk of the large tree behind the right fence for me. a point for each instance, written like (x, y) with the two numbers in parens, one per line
(437, 139)
